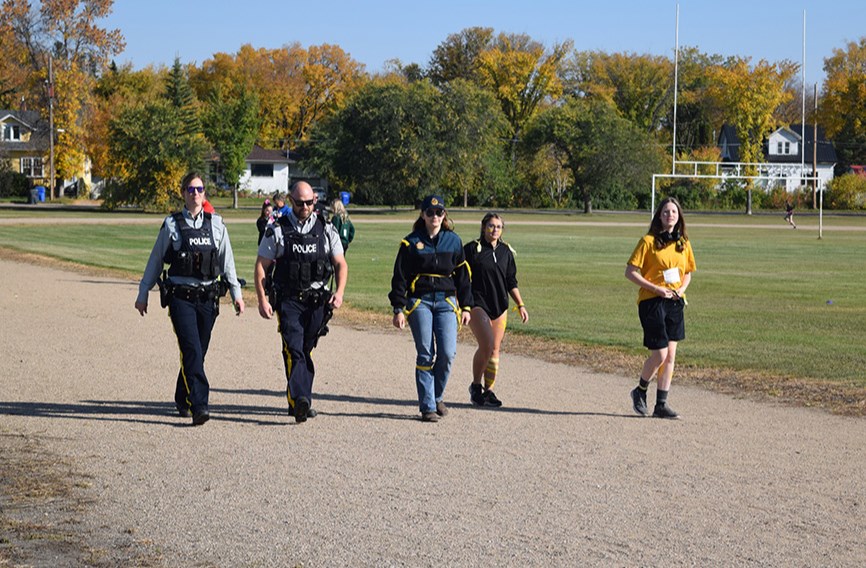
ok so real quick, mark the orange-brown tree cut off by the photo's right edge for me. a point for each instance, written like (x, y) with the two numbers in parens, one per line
(842, 107)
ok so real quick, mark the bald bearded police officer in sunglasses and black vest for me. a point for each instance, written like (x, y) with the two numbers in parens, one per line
(307, 251)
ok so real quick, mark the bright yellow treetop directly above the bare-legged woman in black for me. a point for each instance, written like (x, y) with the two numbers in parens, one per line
(521, 74)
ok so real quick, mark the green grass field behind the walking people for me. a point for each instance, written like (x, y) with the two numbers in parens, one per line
(757, 302)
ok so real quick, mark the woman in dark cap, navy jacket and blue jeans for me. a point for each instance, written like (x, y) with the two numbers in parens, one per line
(431, 289)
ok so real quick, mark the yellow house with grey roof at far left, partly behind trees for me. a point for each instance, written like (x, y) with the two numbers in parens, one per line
(24, 147)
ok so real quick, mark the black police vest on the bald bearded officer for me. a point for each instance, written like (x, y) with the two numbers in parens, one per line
(304, 260)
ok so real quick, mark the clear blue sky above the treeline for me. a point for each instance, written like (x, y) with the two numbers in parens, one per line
(375, 31)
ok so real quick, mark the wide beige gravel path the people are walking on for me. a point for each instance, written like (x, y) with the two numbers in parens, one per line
(563, 475)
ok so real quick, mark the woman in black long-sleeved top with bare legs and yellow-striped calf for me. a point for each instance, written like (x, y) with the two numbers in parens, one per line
(494, 279)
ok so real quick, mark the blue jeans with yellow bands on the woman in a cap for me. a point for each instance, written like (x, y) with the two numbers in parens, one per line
(433, 321)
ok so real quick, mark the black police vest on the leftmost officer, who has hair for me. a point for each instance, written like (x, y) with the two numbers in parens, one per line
(197, 255)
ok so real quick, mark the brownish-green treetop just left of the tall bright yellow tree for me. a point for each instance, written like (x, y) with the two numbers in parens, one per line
(458, 56)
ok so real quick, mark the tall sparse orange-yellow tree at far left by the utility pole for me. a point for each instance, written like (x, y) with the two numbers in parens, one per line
(66, 31)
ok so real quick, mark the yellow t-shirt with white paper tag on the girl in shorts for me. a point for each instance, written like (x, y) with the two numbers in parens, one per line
(665, 267)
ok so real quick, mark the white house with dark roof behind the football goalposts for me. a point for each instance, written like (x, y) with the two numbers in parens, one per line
(783, 156)
